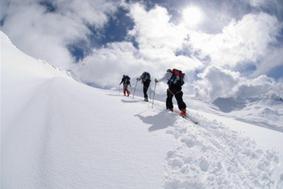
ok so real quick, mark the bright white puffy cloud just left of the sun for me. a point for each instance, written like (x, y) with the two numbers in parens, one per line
(156, 35)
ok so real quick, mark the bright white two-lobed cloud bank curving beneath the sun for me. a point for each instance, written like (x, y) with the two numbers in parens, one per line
(246, 40)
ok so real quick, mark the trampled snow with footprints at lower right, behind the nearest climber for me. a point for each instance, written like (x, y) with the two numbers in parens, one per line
(210, 155)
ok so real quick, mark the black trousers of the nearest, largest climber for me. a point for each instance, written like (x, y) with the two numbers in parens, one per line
(177, 92)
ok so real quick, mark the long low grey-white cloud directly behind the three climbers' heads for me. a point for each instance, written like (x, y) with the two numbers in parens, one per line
(105, 66)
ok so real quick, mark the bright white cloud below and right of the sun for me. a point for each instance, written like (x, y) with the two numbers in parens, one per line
(247, 39)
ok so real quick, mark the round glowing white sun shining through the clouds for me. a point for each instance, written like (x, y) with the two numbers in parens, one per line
(192, 16)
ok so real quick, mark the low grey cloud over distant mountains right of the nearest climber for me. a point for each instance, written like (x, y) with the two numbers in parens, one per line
(216, 82)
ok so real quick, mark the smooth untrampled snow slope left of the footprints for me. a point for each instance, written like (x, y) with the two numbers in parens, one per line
(58, 133)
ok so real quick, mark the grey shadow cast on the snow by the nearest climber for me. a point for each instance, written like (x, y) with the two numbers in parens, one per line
(159, 121)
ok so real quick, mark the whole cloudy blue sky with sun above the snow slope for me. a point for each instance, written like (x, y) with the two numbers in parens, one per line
(238, 39)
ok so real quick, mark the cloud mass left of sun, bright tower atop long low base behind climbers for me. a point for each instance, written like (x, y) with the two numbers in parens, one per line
(156, 50)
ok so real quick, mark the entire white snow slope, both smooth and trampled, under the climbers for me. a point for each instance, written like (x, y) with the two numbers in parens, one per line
(59, 133)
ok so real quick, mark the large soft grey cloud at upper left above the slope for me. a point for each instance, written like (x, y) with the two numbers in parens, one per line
(45, 34)
